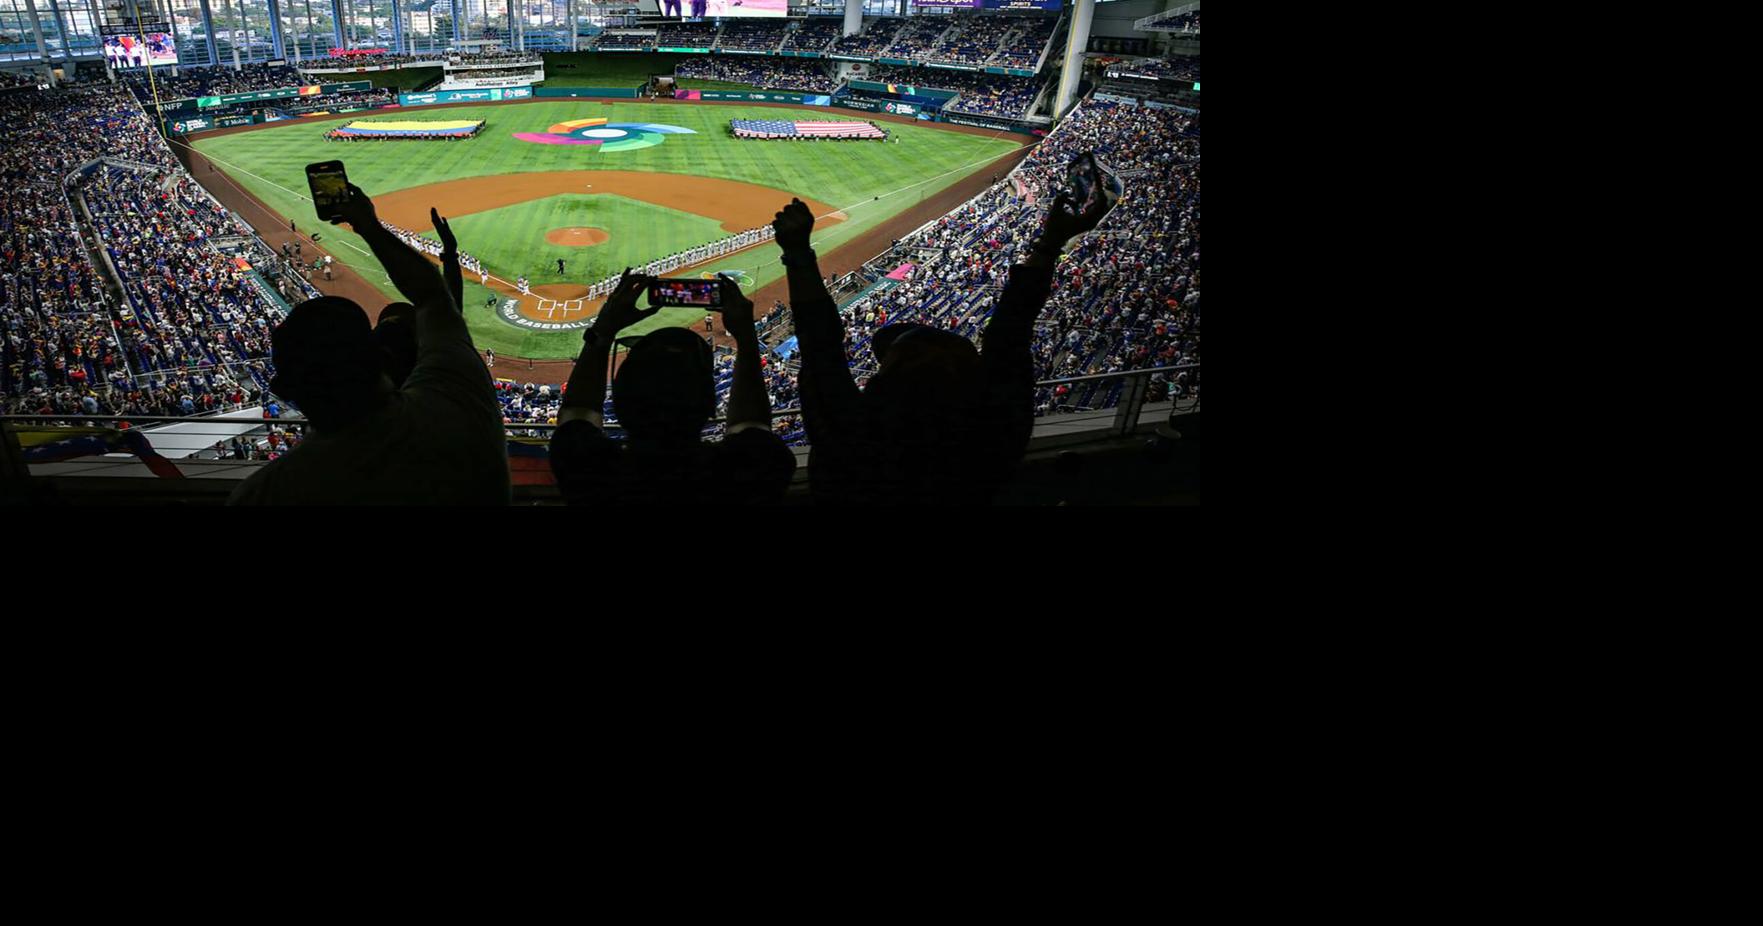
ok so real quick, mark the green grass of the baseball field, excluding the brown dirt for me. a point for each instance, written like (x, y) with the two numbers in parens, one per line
(271, 163)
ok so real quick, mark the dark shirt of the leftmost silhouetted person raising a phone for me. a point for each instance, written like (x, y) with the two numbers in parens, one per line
(438, 442)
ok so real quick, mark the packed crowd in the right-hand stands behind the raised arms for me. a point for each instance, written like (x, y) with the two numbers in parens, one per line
(1129, 295)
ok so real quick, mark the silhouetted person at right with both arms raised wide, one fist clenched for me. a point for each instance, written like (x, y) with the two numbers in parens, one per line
(939, 422)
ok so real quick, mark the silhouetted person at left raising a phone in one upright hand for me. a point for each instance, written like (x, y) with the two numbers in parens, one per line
(435, 442)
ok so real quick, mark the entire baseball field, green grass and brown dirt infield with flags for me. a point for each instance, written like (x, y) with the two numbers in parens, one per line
(546, 183)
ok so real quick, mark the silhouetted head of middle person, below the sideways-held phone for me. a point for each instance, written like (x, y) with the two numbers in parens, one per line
(666, 389)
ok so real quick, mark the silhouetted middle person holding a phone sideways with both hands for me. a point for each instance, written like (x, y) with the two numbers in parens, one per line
(664, 396)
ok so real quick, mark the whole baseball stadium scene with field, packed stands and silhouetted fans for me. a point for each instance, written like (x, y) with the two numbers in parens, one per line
(600, 253)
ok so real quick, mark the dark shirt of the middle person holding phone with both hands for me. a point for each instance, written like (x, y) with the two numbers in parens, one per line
(747, 468)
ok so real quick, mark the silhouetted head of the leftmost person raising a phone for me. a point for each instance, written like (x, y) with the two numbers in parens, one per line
(327, 361)
